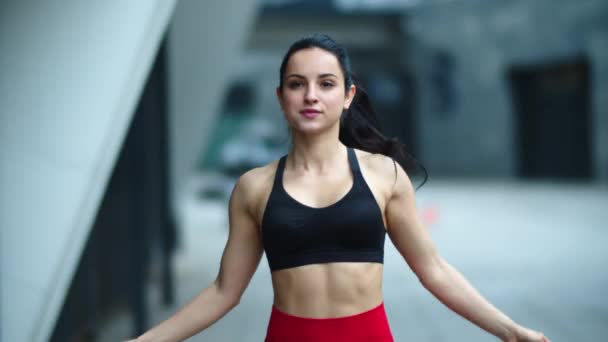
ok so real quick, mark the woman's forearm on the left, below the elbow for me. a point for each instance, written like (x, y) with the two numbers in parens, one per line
(205, 309)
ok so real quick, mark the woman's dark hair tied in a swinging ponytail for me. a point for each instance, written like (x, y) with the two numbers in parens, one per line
(359, 125)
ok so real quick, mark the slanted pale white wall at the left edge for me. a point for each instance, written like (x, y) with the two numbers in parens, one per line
(71, 74)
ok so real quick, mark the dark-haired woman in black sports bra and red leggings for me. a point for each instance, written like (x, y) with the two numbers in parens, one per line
(321, 214)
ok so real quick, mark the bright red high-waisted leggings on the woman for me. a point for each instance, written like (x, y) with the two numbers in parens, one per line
(370, 326)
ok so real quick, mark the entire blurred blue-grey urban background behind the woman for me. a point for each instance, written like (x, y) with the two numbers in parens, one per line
(124, 125)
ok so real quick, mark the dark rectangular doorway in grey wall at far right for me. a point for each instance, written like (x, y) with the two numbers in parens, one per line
(553, 120)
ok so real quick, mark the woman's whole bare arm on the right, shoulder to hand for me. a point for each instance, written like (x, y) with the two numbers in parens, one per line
(447, 284)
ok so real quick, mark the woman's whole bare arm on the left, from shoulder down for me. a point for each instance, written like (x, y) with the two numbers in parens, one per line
(239, 261)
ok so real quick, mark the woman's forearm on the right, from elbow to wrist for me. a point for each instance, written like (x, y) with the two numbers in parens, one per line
(453, 290)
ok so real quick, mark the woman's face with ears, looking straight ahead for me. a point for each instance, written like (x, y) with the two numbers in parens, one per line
(313, 95)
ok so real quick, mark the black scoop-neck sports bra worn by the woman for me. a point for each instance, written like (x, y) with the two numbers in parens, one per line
(350, 230)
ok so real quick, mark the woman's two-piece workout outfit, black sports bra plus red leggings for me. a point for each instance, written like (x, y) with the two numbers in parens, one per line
(350, 230)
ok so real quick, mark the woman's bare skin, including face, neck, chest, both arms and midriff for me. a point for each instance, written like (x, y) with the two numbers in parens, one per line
(314, 79)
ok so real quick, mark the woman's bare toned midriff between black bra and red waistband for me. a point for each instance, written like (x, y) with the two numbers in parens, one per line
(328, 290)
